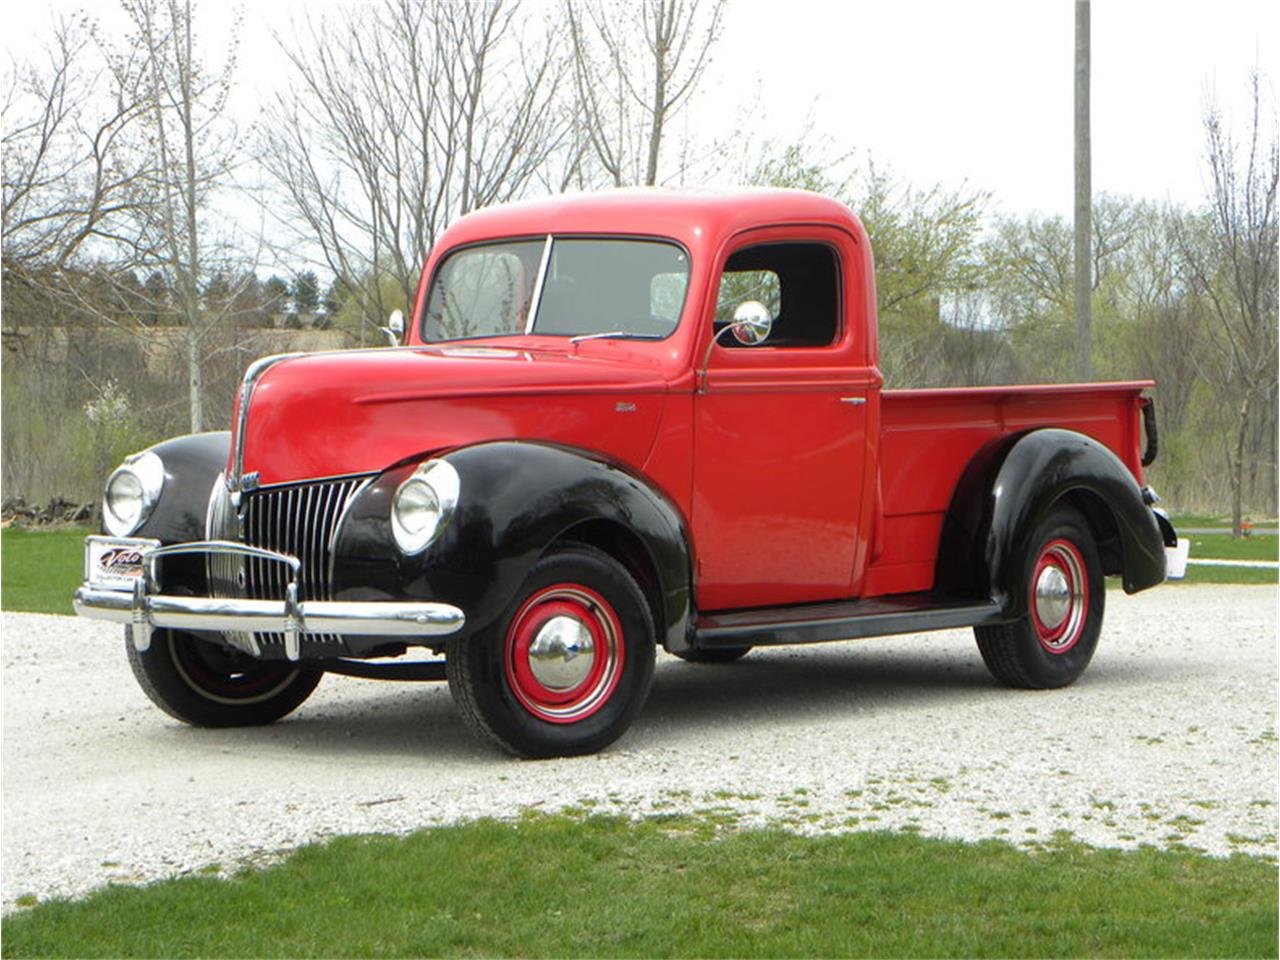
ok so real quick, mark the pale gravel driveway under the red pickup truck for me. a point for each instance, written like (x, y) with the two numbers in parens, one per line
(1169, 738)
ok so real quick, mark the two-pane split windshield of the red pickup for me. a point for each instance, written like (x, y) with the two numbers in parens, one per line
(566, 287)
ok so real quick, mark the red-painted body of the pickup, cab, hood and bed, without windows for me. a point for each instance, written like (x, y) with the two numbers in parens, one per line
(790, 495)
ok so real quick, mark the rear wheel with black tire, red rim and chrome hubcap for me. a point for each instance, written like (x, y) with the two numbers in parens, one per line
(1066, 596)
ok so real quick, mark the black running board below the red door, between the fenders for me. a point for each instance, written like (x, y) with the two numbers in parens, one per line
(842, 620)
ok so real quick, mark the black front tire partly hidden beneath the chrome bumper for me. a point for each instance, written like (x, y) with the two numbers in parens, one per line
(208, 685)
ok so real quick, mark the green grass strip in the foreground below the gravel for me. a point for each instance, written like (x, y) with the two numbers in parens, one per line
(563, 886)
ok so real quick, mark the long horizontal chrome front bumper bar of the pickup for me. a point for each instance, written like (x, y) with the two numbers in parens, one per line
(353, 619)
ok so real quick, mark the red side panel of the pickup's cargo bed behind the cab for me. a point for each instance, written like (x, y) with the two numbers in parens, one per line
(930, 436)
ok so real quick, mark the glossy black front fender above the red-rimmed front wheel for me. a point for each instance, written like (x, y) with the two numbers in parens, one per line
(516, 501)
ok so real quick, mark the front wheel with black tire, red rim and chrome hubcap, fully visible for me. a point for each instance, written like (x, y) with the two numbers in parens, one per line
(568, 668)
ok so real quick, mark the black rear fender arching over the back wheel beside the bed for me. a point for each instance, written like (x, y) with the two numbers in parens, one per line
(1008, 490)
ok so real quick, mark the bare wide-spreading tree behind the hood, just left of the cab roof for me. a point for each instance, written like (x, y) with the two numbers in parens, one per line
(405, 116)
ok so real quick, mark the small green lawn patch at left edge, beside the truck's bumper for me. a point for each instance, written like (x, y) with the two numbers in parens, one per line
(42, 569)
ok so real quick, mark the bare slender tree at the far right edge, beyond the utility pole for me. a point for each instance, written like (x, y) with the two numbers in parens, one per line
(1232, 263)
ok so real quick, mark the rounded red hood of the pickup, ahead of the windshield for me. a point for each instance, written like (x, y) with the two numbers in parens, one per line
(360, 412)
